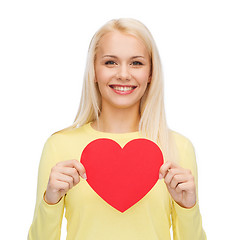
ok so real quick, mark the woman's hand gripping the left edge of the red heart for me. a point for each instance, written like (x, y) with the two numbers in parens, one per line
(64, 175)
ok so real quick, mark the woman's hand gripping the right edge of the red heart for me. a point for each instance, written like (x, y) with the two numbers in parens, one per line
(180, 184)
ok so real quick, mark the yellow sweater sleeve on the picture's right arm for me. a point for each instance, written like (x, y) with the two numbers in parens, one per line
(187, 223)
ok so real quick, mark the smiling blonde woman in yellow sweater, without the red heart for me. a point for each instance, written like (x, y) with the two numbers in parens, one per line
(122, 100)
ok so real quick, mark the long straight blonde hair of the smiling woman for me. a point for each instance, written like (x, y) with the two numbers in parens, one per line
(152, 123)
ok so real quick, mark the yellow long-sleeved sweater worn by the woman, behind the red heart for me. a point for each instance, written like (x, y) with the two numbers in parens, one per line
(89, 217)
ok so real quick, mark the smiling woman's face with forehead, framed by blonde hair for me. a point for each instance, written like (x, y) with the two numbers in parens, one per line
(122, 61)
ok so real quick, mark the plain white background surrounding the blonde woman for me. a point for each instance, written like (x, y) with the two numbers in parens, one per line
(43, 48)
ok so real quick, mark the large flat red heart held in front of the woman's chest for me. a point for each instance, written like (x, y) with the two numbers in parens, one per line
(122, 176)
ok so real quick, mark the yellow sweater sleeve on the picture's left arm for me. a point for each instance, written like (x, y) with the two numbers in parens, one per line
(47, 219)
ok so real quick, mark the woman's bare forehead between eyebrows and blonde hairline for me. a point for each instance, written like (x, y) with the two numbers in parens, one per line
(120, 44)
